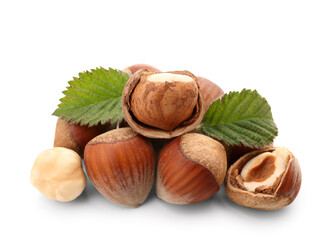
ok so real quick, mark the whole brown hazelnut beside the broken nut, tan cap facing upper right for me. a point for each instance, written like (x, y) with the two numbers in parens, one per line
(190, 169)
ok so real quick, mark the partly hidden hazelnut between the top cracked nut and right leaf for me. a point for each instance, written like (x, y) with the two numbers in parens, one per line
(210, 91)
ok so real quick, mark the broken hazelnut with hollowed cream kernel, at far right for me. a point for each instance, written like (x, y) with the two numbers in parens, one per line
(267, 179)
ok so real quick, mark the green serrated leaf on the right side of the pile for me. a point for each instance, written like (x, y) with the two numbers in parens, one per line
(240, 118)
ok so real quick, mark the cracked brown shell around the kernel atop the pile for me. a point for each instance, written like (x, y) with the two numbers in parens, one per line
(152, 132)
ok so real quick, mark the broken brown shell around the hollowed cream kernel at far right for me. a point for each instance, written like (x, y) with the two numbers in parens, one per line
(285, 192)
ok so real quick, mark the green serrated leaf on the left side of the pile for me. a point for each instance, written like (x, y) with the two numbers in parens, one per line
(93, 98)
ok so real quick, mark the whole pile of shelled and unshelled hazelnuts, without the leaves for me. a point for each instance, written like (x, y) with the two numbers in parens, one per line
(159, 141)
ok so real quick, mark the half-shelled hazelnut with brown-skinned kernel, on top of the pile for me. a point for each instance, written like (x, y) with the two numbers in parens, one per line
(162, 105)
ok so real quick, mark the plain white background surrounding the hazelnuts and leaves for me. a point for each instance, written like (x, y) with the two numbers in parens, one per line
(284, 49)
